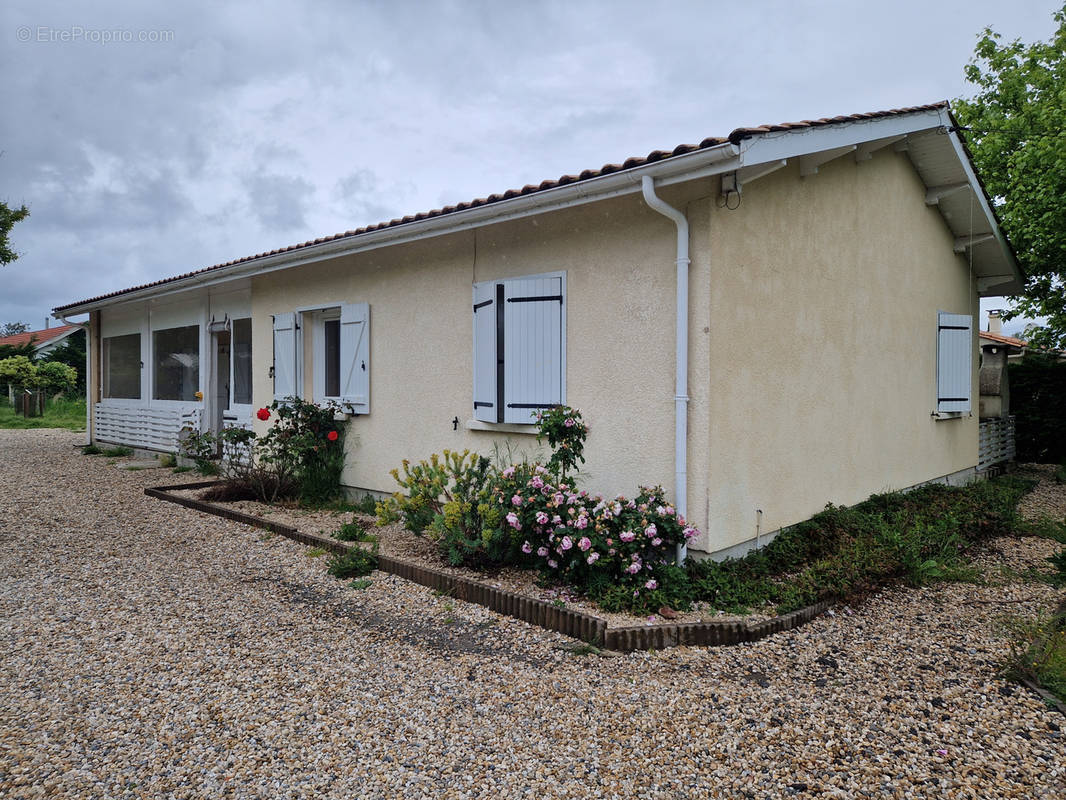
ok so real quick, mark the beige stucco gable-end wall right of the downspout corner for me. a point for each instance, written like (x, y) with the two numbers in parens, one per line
(825, 299)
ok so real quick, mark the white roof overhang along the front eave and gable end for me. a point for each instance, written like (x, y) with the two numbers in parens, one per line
(928, 136)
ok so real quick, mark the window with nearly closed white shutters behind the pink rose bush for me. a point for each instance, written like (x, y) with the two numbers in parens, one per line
(520, 347)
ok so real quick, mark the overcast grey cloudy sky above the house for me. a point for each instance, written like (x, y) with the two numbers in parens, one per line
(150, 140)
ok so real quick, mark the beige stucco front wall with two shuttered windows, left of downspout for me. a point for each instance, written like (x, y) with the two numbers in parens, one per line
(619, 259)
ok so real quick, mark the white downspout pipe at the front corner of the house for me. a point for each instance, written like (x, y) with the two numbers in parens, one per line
(682, 369)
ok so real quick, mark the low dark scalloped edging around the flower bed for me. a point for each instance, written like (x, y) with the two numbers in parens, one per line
(575, 625)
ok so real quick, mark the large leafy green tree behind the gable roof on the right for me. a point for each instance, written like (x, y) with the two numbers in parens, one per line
(1015, 127)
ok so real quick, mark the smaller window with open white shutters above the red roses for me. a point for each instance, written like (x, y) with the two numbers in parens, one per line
(341, 342)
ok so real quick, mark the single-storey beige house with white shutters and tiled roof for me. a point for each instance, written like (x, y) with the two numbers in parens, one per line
(725, 315)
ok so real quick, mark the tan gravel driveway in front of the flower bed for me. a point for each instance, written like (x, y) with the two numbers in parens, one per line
(150, 651)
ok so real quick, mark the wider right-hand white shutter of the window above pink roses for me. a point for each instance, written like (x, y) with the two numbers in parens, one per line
(532, 347)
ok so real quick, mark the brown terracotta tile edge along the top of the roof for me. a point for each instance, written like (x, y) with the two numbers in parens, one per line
(736, 137)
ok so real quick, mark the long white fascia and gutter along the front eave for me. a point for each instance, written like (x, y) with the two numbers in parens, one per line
(675, 170)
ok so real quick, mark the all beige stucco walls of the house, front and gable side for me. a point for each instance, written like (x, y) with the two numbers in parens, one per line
(813, 342)
